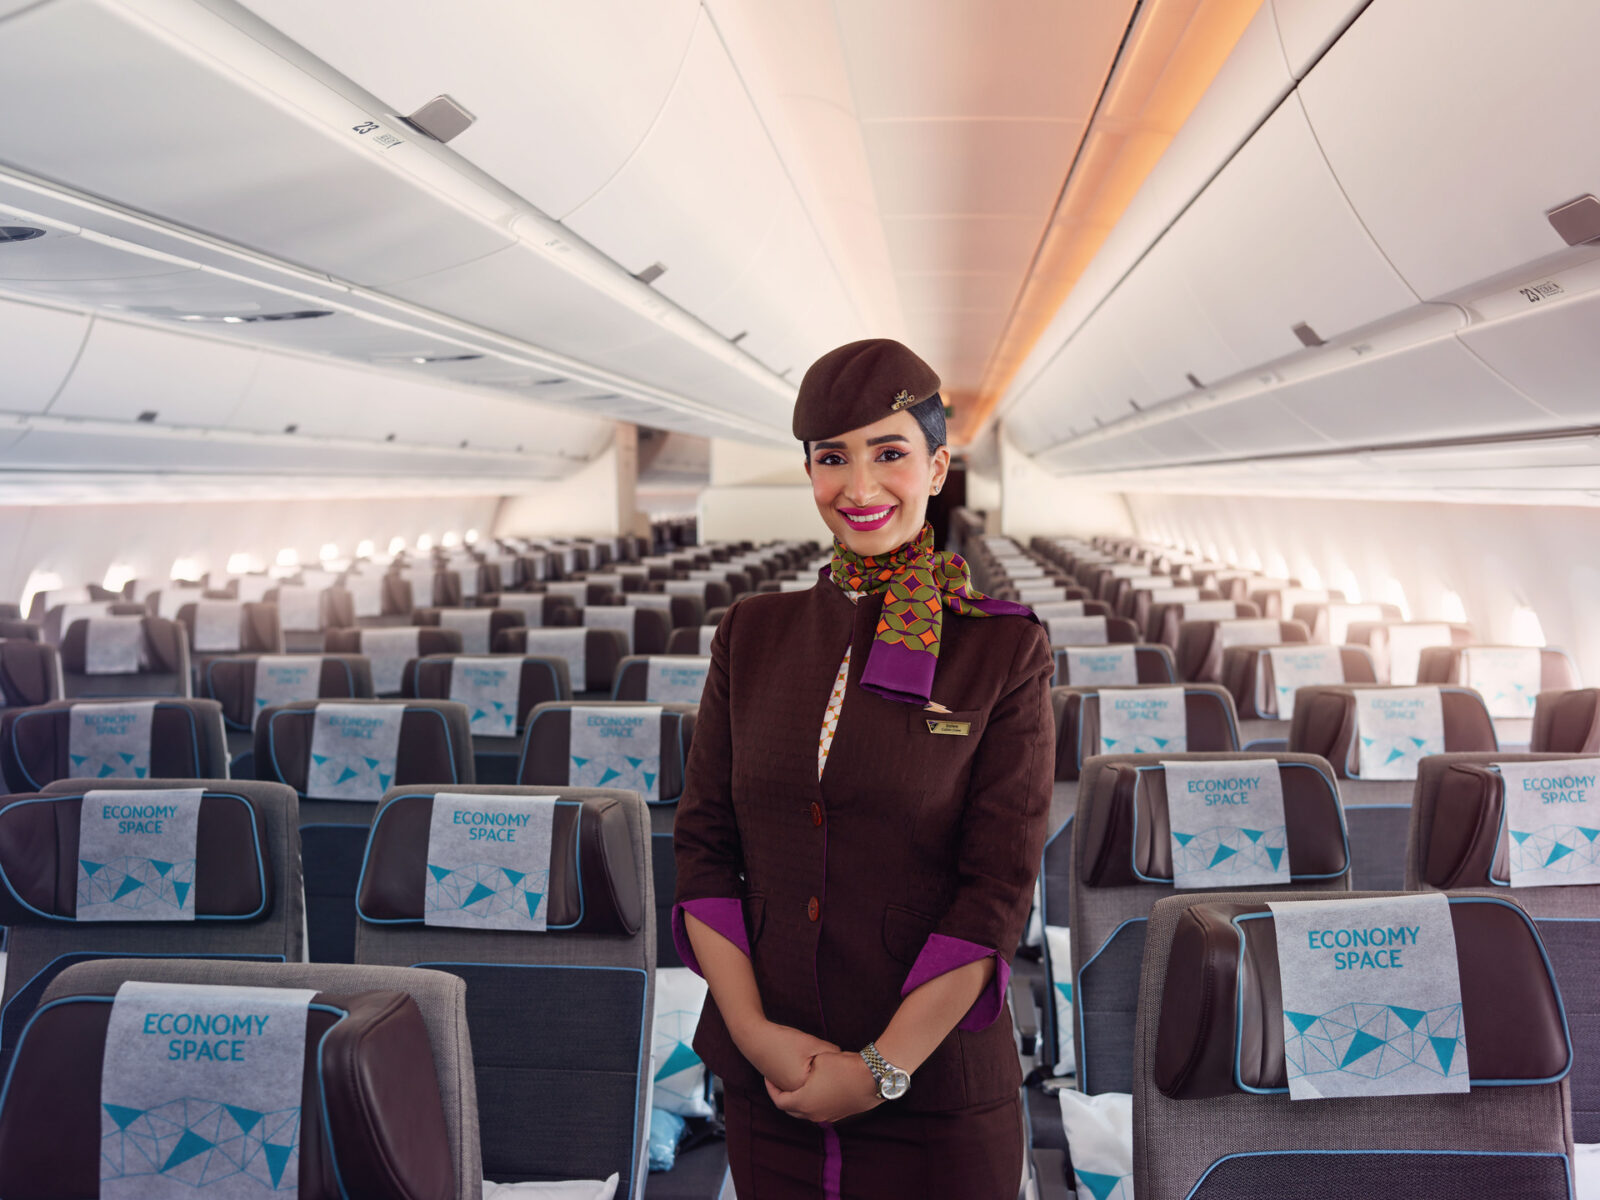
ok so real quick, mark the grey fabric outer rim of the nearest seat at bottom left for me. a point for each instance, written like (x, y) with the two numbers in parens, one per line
(441, 998)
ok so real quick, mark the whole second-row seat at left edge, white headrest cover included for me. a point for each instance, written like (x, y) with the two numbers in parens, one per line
(239, 895)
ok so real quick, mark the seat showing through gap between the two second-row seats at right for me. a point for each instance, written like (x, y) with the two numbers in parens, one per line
(1378, 810)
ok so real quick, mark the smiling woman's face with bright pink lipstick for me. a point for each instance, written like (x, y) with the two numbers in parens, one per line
(873, 484)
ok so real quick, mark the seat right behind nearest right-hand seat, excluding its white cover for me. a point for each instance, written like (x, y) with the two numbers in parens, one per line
(1119, 873)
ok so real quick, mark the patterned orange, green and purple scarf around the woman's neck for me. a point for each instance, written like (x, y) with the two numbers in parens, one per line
(919, 585)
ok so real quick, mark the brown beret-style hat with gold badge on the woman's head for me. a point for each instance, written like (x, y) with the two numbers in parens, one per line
(858, 385)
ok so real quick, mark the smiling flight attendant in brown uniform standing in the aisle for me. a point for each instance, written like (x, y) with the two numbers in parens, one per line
(862, 826)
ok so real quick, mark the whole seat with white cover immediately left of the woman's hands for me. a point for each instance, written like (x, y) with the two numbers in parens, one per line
(559, 1002)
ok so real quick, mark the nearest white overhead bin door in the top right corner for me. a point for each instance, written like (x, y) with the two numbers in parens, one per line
(1492, 119)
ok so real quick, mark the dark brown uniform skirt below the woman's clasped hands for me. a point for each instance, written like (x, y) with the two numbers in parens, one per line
(887, 1154)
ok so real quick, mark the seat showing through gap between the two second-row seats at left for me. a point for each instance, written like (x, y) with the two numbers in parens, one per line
(342, 764)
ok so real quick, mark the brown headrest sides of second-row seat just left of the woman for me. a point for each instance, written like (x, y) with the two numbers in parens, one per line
(594, 881)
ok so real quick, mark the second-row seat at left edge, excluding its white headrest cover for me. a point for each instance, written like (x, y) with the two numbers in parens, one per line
(247, 887)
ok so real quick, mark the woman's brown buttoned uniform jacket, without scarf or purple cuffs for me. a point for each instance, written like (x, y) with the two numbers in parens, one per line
(908, 833)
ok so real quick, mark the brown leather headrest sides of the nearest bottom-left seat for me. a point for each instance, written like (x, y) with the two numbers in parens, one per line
(372, 1119)
